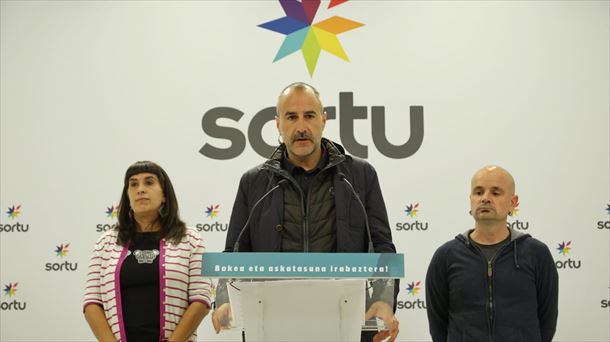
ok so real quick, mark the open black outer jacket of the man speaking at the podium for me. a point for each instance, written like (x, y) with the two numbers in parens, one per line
(261, 234)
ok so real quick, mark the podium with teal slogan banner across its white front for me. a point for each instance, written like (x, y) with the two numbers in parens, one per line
(304, 296)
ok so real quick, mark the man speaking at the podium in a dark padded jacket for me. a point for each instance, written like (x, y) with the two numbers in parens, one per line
(315, 211)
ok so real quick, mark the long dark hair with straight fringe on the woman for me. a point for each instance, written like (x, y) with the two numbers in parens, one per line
(172, 228)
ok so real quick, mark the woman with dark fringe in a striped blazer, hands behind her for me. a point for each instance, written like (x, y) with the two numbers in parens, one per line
(144, 280)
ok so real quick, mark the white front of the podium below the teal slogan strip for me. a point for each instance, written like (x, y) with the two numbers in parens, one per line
(299, 310)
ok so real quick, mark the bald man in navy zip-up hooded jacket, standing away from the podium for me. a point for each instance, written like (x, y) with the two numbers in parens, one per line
(492, 283)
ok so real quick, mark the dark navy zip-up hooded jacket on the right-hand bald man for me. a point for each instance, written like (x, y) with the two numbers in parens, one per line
(521, 284)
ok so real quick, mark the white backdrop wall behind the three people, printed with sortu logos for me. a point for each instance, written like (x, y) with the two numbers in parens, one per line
(89, 87)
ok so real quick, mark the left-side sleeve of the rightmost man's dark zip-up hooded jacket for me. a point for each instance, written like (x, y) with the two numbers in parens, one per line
(437, 296)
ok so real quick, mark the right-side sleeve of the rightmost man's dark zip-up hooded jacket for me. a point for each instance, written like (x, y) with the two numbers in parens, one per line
(547, 292)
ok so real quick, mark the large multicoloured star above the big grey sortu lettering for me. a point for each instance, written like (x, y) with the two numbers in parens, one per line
(302, 34)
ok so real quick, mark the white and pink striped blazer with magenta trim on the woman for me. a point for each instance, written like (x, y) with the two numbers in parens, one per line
(180, 280)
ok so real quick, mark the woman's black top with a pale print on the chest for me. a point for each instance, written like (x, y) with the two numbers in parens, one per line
(140, 289)
